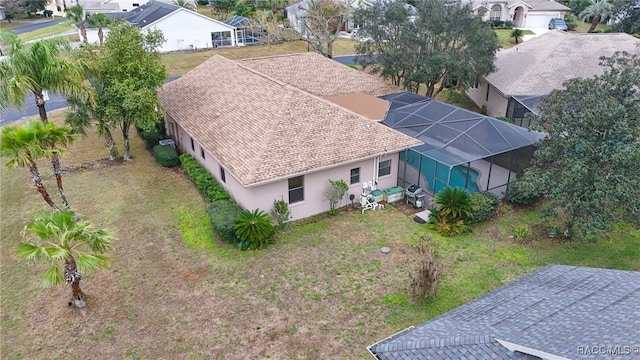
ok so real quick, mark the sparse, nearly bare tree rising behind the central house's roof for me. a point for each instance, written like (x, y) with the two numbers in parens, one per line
(321, 23)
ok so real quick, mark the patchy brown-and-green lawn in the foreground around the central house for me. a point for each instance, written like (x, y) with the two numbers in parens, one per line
(324, 290)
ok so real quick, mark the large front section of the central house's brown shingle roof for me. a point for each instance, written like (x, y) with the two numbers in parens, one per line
(261, 129)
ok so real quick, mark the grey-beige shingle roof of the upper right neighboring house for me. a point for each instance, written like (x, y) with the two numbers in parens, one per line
(540, 65)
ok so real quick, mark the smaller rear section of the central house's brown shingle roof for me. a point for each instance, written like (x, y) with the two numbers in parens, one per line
(313, 73)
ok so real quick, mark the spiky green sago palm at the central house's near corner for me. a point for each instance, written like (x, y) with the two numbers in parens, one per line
(254, 229)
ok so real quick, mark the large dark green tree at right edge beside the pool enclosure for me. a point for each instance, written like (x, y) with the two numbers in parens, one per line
(588, 163)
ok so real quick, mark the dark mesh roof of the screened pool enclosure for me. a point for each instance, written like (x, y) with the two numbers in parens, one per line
(452, 135)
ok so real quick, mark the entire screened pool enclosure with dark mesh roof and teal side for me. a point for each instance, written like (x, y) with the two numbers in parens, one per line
(461, 148)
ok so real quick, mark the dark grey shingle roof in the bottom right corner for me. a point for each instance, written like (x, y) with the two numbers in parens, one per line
(558, 312)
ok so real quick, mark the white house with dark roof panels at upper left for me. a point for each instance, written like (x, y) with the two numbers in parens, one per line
(183, 29)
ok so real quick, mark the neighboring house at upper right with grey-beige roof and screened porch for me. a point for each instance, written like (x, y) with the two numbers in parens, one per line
(529, 71)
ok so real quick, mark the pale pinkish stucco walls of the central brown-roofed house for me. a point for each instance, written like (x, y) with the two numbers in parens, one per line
(315, 183)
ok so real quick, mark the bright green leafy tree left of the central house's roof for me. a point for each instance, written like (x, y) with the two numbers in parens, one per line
(130, 67)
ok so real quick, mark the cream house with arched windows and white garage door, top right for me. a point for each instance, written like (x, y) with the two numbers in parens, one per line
(523, 14)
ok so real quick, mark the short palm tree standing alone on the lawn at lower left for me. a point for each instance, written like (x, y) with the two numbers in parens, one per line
(59, 238)
